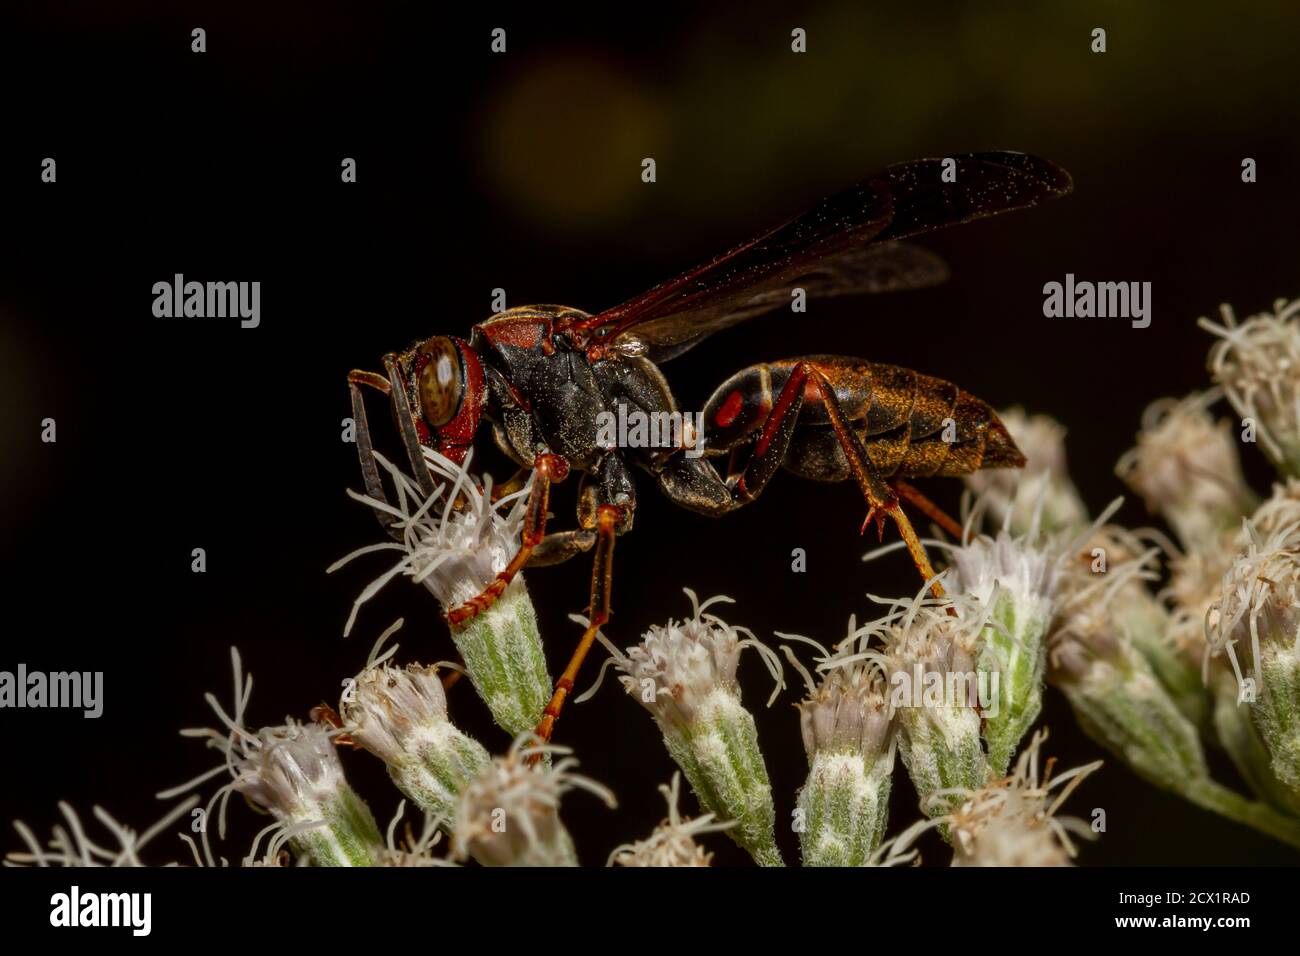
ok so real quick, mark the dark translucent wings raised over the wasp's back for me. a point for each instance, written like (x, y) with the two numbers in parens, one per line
(825, 249)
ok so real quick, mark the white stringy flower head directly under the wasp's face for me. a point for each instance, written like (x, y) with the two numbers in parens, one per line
(454, 543)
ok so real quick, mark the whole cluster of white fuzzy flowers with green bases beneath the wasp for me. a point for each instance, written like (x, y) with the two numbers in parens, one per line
(1163, 647)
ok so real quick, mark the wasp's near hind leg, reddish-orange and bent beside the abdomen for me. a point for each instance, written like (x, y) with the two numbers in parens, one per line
(695, 483)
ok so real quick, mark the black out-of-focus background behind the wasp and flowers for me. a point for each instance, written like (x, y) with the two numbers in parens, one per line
(523, 172)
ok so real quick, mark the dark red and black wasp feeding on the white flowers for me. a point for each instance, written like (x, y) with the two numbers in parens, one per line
(544, 378)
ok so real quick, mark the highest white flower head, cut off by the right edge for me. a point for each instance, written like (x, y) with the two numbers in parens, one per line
(1259, 366)
